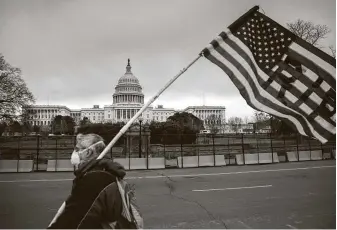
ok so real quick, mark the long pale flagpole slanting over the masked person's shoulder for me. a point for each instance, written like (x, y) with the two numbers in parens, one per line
(129, 123)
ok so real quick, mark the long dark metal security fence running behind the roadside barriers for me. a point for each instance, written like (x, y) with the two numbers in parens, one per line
(171, 148)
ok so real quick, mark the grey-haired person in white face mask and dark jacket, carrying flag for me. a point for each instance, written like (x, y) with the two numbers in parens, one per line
(99, 198)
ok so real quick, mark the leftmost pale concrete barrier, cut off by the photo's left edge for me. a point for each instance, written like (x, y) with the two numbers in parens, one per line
(16, 165)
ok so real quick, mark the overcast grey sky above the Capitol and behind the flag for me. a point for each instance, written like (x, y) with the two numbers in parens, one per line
(73, 52)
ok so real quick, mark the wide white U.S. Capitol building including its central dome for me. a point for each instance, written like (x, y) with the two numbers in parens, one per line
(128, 98)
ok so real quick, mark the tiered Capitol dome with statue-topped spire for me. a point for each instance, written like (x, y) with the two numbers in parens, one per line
(128, 90)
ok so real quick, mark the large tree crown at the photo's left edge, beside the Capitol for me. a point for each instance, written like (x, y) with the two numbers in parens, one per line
(14, 93)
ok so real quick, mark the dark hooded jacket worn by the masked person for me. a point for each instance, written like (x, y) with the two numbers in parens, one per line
(95, 201)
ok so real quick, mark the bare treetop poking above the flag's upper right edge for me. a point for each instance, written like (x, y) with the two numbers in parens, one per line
(308, 31)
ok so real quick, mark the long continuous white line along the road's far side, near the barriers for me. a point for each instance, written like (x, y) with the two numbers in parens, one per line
(186, 175)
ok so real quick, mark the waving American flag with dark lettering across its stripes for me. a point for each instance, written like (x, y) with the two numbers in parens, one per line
(279, 73)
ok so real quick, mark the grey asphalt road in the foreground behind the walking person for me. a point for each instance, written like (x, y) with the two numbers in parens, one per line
(285, 195)
